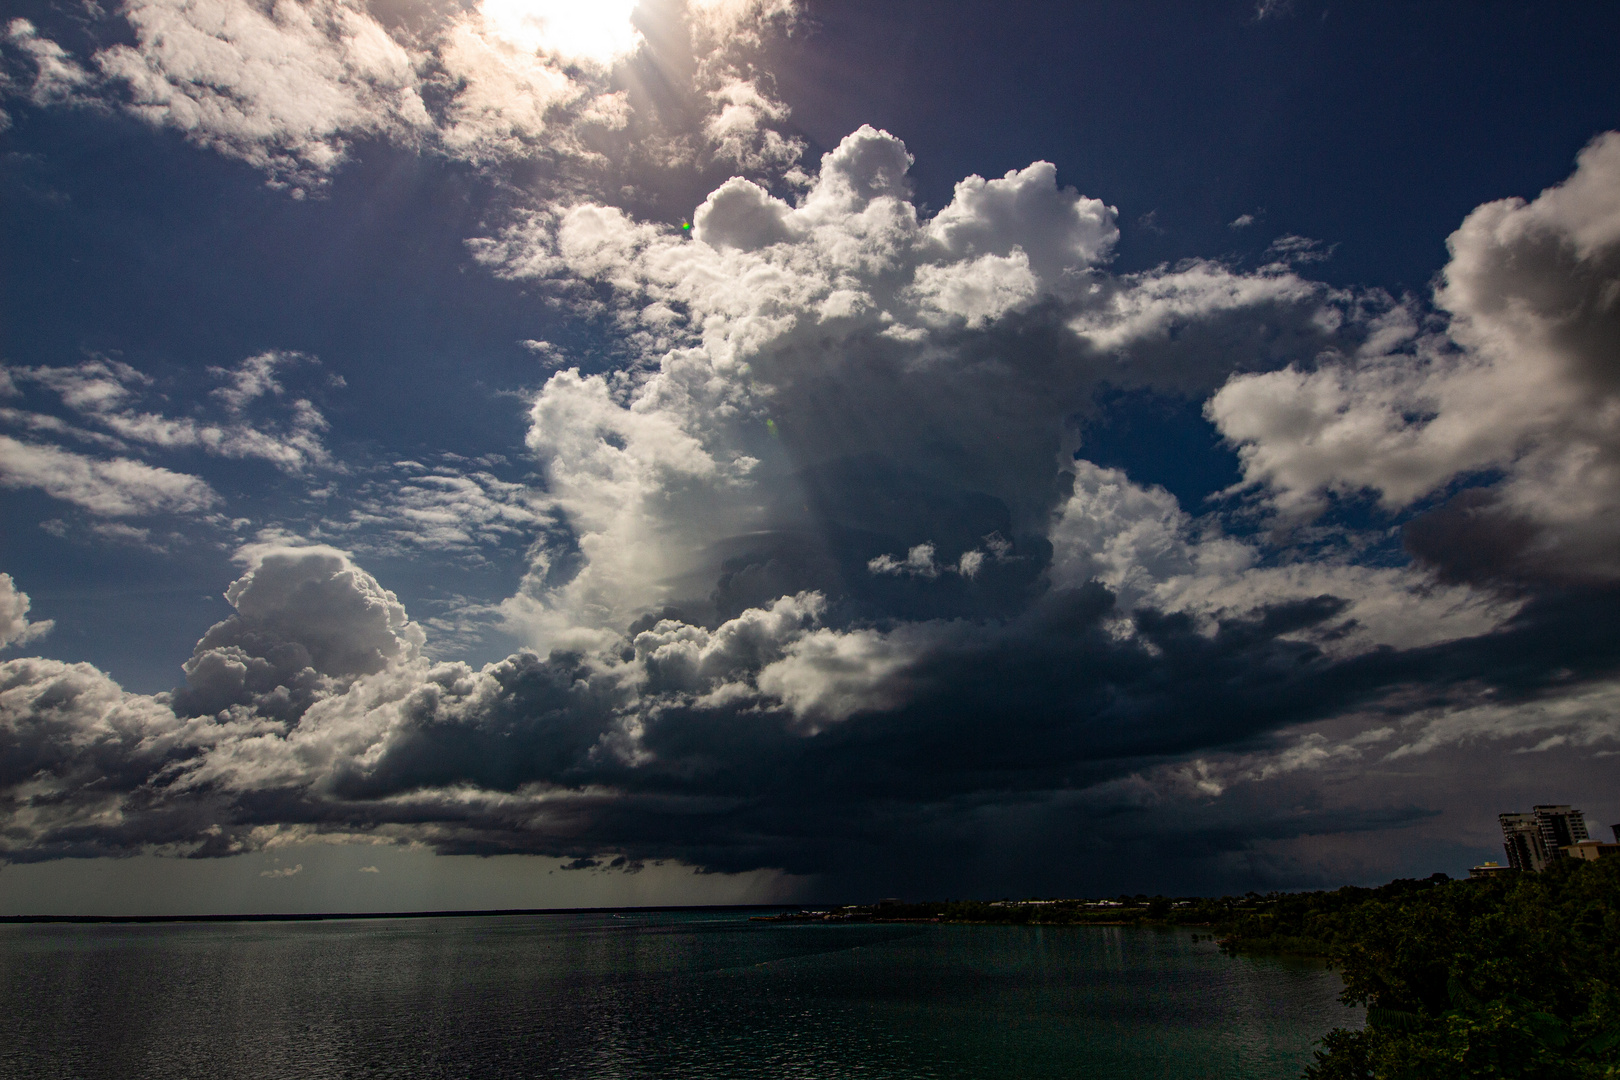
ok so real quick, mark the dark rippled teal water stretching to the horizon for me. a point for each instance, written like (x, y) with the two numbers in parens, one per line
(647, 995)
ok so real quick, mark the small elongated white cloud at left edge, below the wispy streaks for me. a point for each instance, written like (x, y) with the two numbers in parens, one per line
(117, 488)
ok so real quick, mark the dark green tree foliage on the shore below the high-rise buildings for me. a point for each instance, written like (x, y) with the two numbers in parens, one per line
(1509, 977)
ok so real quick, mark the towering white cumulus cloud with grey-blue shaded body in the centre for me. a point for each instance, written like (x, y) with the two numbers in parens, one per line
(819, 360)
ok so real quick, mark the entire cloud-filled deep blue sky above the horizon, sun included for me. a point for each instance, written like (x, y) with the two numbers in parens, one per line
(532, 454)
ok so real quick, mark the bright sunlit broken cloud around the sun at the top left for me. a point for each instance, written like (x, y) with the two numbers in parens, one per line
(292, 88)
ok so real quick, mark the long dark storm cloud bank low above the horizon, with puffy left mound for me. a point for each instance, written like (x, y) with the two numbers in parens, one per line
(769, 741)
